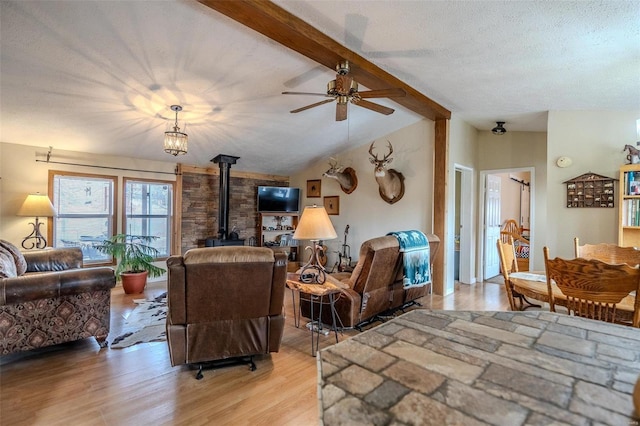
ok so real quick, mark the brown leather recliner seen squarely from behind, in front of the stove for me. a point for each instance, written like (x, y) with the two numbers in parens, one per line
(225, 303)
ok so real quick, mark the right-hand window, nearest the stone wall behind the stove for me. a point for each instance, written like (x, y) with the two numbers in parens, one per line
(148, 211)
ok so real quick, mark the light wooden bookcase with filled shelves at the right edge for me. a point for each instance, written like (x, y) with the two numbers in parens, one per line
(629, 212)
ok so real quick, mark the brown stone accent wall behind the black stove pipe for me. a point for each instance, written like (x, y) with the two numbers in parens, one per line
(200, 193)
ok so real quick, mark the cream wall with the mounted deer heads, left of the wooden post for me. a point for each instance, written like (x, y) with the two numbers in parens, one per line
(366, 213)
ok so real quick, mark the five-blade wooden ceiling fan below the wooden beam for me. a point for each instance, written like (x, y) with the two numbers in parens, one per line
(344, 89)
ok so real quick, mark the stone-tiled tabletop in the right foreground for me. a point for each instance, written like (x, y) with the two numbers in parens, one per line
(482, 367)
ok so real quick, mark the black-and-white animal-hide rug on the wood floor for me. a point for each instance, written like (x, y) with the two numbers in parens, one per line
(147, 323)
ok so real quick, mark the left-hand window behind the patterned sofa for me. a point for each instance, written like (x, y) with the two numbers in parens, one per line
(85, 212)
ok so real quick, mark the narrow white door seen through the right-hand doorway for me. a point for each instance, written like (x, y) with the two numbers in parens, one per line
(492, 226)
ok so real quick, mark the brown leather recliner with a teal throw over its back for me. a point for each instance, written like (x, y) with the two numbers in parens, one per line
(375, 286)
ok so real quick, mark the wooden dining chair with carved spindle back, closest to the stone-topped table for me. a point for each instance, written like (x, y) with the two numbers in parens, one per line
(593, 288)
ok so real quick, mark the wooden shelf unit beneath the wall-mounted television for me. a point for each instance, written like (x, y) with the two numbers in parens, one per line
(275, 230)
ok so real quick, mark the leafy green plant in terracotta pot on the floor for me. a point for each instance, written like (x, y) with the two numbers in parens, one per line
(134, 257)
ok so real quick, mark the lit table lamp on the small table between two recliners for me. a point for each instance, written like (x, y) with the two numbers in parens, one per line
(314, 225)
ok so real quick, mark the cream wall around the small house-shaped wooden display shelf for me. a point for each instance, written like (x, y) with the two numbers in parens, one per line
(594, 141)
